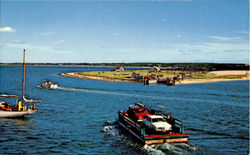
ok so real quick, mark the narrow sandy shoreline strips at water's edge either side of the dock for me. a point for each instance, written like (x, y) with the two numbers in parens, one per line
(186, 81)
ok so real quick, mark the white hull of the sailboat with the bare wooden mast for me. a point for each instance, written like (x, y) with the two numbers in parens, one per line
(15, 114)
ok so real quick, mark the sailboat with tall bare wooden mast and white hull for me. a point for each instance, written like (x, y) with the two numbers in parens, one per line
(20, 109)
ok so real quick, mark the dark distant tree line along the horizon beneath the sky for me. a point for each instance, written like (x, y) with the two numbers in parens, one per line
(177, 66)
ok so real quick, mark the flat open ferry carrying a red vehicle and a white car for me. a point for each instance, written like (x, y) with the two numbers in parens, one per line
(150, 126)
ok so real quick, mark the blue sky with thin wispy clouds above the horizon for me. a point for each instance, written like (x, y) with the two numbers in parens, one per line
(125, 31)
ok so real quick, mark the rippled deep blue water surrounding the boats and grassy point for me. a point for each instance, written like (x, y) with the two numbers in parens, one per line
(72, 118)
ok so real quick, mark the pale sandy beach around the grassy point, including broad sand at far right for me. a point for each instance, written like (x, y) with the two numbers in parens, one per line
(244, 74)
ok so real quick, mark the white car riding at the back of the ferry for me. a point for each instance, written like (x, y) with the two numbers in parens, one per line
(157, 123)
